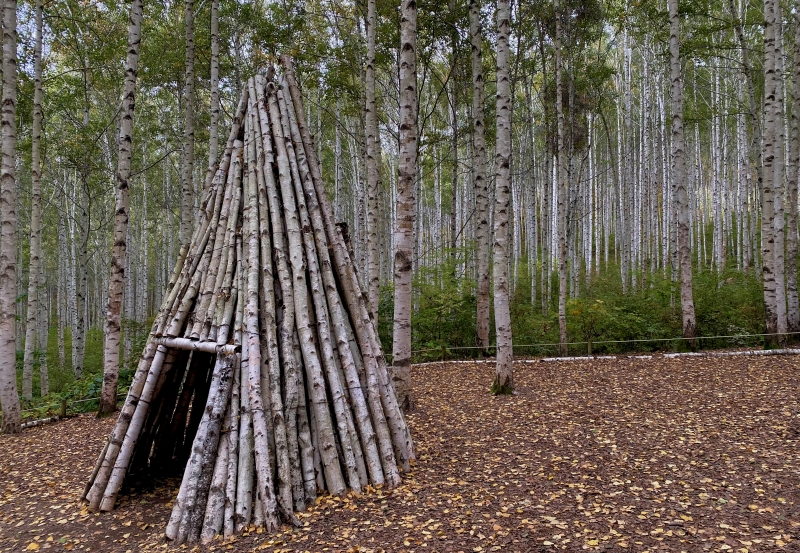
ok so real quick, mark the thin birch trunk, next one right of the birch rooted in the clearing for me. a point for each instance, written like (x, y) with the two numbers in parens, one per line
(561, 215)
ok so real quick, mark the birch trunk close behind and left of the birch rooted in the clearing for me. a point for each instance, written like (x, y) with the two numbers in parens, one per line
(482, 232)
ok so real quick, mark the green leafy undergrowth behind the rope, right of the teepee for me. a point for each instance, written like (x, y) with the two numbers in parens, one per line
(601, 320)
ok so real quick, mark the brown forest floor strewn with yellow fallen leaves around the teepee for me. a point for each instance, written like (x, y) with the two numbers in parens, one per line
(607, 455)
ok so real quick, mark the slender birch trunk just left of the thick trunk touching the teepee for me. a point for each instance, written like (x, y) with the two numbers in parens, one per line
(373, 165)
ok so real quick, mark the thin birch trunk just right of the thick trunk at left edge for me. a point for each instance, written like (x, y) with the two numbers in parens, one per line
(34, 271)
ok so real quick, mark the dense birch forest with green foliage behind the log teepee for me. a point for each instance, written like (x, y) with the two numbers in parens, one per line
(564, 177)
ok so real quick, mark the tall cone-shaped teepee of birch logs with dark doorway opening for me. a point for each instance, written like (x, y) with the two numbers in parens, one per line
(263, 374)
